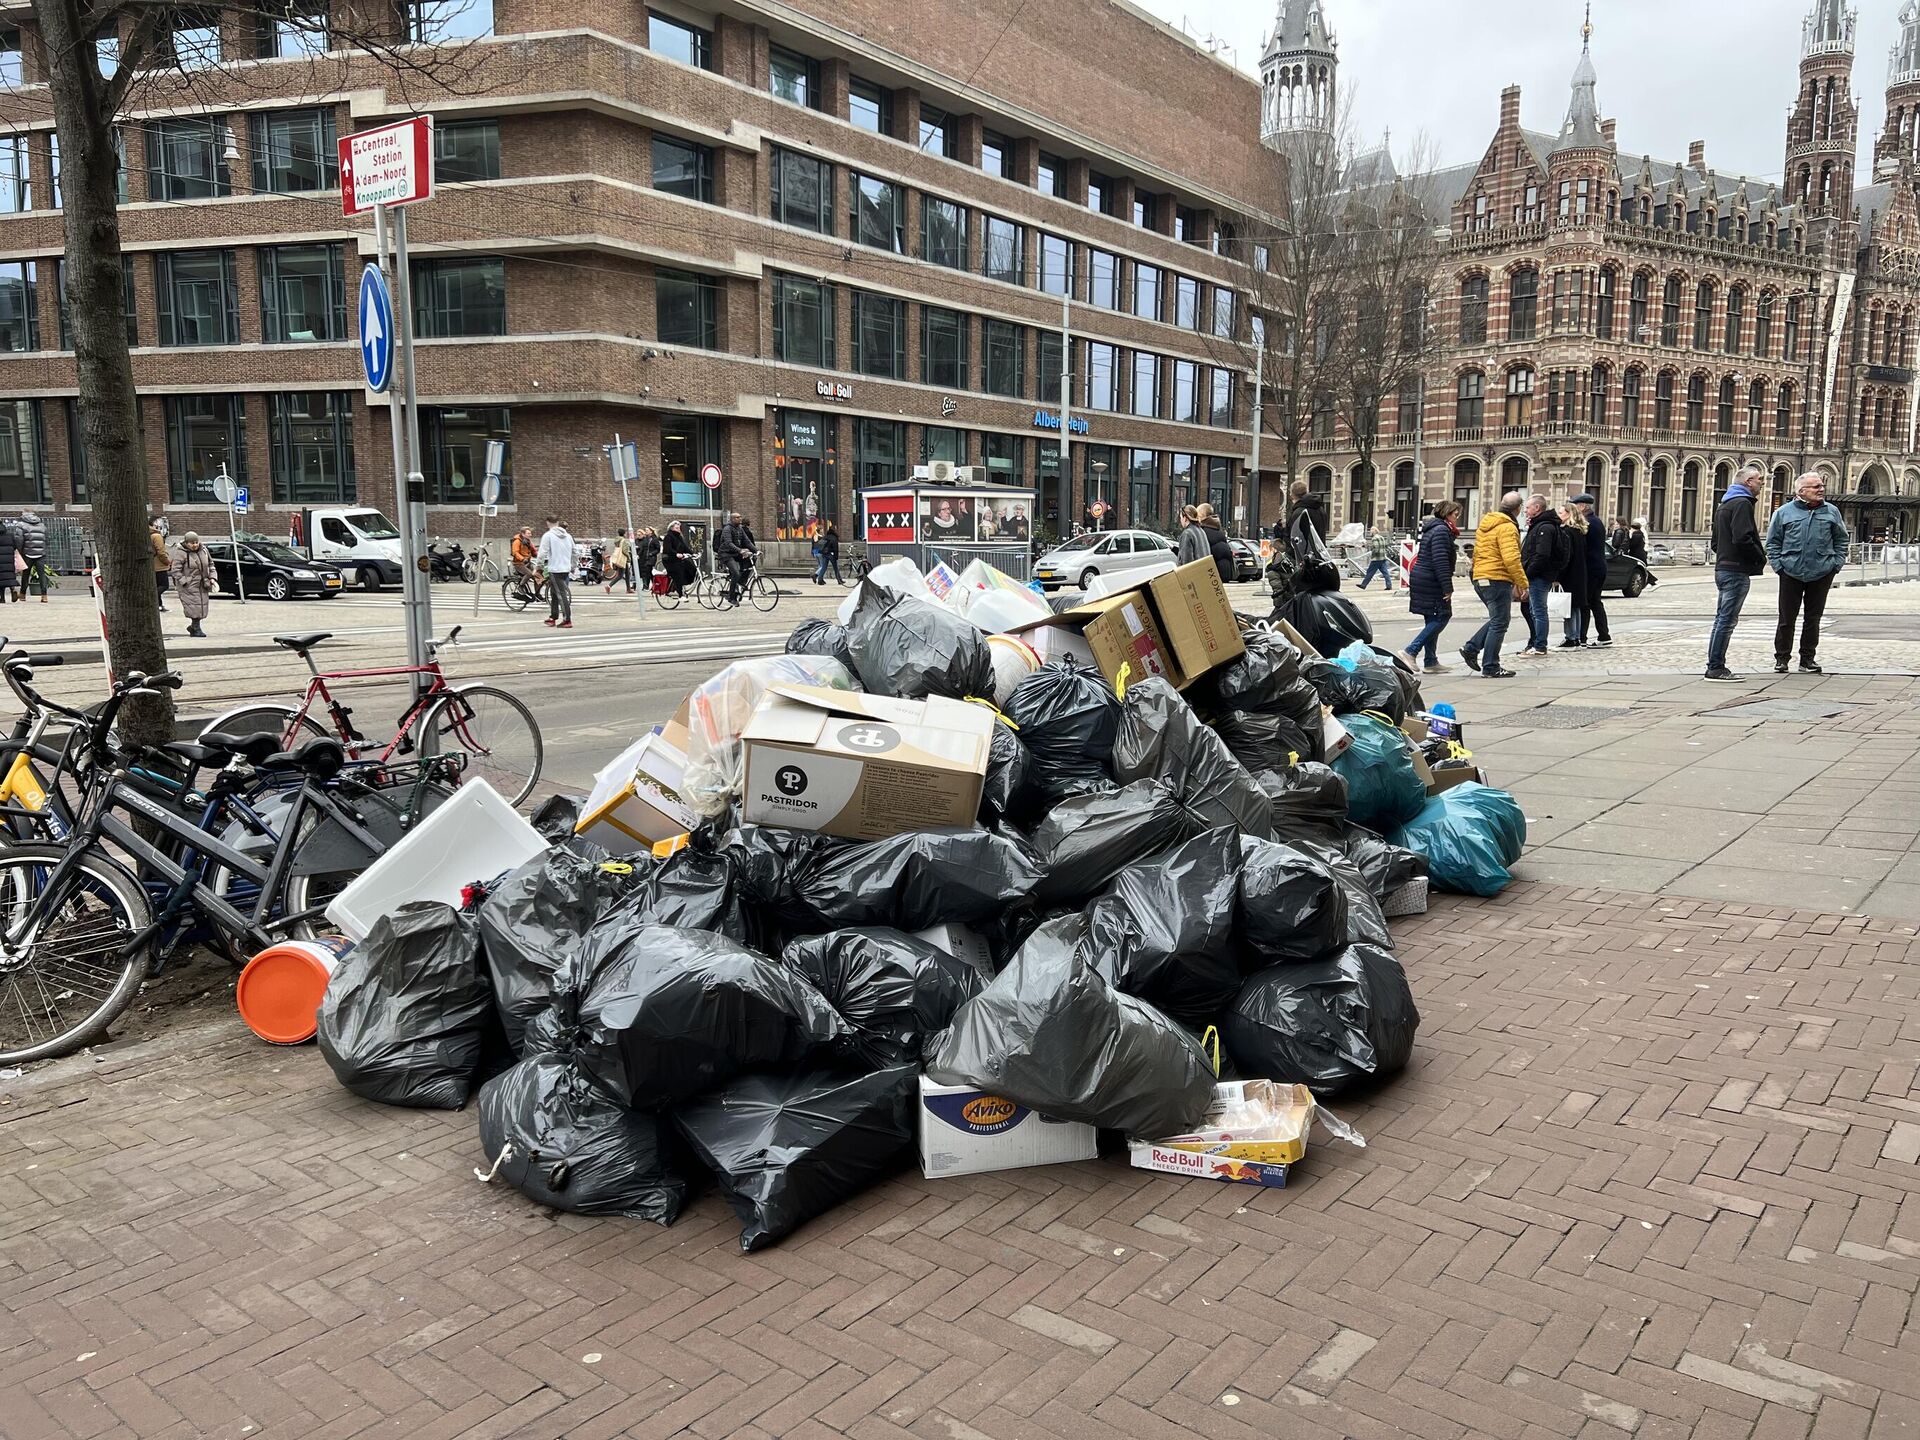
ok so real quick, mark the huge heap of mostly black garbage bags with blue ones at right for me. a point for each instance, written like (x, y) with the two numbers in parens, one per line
(1163, 888)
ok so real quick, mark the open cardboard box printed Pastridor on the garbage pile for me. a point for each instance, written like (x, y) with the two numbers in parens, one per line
(863, 767)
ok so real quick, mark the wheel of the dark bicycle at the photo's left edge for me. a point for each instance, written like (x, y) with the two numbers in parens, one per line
(66, 982)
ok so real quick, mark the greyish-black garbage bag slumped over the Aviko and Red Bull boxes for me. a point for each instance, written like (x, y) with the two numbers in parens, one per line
(1053, 1036)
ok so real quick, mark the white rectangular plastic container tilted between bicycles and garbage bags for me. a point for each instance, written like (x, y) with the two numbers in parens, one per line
(475, 836)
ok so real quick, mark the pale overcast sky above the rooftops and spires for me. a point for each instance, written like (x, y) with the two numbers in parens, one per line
(1669, 70)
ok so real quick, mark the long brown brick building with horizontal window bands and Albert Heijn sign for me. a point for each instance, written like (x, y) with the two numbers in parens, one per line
(813, 243)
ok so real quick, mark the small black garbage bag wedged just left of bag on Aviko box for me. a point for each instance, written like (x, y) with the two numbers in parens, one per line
(894, 990)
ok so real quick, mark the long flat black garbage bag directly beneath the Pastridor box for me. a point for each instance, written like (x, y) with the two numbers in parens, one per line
(911, 882)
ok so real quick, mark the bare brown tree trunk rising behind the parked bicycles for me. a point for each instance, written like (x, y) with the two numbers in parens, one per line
(108, 406)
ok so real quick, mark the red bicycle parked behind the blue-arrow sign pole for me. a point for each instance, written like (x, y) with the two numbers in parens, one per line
(496, 731)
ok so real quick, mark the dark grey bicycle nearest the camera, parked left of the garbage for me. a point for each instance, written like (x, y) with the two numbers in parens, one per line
(155, 863)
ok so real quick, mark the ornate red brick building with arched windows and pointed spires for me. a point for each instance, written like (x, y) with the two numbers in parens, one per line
(1641, 329)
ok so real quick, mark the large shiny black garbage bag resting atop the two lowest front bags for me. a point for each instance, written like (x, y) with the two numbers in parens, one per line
(661, 1015)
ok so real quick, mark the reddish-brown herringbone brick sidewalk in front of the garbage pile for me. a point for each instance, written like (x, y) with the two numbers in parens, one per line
(1652, 1172)
